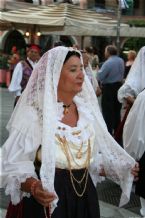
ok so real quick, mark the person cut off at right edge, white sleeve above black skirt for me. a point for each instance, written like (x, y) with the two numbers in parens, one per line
(134, 142)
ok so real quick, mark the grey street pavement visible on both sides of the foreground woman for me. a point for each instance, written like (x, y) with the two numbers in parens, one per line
(108, 192)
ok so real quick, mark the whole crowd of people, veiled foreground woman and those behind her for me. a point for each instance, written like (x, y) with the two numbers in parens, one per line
(61, 144)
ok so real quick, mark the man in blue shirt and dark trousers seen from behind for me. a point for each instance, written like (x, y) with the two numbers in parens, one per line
(110, 76)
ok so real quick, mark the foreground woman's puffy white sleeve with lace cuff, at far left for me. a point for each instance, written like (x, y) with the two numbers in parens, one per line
(18, 159)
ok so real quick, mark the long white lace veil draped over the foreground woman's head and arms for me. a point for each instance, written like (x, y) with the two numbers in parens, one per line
(41, 94)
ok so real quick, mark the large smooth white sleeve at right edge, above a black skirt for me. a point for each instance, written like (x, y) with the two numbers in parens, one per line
(134, 133)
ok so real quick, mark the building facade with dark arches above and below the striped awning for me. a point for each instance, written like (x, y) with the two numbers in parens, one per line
(109, 7)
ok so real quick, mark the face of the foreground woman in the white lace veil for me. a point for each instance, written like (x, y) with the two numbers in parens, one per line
(72, 77)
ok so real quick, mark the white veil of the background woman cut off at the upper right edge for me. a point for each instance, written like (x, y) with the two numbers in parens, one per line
(135, 81)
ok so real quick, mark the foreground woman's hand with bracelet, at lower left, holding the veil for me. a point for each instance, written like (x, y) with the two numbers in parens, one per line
(42, 196)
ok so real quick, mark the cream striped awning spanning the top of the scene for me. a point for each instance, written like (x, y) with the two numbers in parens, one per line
(62, 18)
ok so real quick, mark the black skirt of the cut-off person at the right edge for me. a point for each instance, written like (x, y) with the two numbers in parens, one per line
(140, 184)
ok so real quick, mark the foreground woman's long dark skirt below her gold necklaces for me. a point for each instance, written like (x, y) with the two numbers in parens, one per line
(69, 204)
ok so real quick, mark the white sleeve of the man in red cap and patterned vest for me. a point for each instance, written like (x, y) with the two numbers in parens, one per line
(16, 80)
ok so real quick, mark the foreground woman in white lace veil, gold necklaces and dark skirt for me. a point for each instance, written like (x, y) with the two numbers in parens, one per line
(59, 146)
